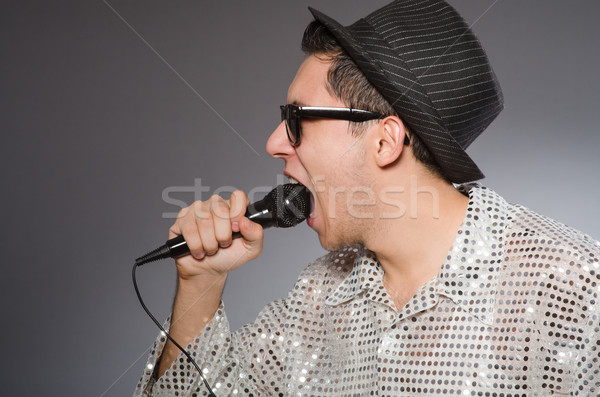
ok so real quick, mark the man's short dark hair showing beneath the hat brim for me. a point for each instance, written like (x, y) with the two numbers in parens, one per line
(347, 82)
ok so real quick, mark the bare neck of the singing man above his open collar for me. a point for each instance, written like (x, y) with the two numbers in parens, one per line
(412, 246)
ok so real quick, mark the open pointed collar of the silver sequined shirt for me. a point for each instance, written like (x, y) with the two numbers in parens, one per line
(468, 276)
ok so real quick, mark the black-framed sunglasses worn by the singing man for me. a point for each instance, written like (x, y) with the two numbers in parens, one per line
(292, 115)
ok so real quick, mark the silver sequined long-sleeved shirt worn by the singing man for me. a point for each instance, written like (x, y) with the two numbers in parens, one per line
(514, 311)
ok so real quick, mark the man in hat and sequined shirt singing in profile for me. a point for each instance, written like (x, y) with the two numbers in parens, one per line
(429, 289)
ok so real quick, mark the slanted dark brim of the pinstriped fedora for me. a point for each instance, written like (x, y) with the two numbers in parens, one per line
(455, 163)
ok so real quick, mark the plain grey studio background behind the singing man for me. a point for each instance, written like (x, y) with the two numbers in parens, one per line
(96, 124)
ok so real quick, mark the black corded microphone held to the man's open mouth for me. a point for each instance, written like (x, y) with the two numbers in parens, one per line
(284, 206)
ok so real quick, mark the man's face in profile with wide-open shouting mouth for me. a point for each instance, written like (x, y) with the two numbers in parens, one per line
(329, 161)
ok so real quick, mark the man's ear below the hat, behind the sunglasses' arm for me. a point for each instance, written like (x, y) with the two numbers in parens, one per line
(388, 141)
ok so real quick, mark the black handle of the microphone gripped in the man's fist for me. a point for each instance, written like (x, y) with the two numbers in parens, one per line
(176, 247)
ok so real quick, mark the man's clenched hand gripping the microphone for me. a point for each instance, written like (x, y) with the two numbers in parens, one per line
(206, 227)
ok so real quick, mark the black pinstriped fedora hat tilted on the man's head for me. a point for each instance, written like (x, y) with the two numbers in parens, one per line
(427, 63)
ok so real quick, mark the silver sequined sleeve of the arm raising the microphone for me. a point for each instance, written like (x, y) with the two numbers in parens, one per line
(266, 357)
